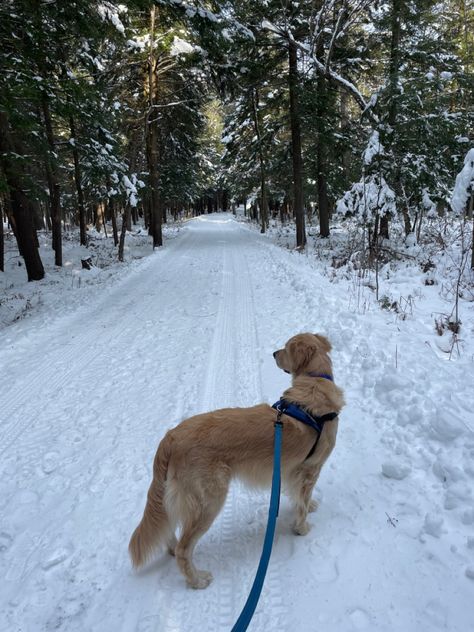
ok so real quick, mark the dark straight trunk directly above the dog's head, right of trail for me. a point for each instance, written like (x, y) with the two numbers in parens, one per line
(296, 146)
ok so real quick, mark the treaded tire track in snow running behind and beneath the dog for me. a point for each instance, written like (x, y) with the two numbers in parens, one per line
(234, 379)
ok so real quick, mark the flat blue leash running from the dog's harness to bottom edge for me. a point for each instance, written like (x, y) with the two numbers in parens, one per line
(251, 603)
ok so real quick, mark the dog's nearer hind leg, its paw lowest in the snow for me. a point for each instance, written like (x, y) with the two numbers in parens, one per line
(203, 506)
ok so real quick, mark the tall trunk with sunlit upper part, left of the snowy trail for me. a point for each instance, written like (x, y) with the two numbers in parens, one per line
(152, 140)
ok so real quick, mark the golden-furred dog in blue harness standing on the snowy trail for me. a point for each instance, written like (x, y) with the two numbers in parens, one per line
(197, 459)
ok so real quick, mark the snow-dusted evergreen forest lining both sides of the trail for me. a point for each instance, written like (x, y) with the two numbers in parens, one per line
(304, 112)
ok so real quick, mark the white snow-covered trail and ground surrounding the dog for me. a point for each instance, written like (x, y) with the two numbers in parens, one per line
(86, 395)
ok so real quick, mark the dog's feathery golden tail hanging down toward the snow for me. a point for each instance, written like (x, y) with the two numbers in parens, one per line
(155, 527)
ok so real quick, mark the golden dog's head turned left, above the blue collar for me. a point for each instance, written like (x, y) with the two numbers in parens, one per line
(304, 353)
